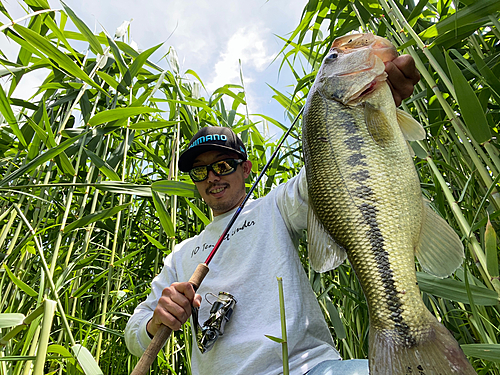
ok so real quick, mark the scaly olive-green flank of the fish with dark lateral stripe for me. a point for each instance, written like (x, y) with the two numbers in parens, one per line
(359, 206)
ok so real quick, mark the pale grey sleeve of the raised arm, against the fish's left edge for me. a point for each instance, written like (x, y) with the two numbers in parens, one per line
(292, 200)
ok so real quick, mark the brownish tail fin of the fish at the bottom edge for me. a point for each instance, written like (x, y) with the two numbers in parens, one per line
(435, 352)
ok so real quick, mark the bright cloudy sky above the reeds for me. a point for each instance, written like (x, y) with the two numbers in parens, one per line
(210, 37)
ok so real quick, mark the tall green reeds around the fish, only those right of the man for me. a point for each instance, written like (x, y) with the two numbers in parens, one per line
(456, 48)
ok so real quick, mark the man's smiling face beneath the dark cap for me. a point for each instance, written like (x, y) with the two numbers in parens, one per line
(222, 193)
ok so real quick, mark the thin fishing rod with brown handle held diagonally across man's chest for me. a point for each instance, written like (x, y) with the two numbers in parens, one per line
(162, 335)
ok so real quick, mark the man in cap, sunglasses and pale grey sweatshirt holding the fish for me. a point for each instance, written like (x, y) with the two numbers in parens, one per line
(260, 247)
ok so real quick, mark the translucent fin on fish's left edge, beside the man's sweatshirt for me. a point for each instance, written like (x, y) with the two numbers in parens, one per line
(324, 253)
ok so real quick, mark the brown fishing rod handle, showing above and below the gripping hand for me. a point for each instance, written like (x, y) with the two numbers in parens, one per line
(162, 335)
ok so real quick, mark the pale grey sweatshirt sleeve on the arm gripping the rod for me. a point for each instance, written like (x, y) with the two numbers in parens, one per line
(136, 336)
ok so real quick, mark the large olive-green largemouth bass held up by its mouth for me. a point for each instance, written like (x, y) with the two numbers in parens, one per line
(365, 193)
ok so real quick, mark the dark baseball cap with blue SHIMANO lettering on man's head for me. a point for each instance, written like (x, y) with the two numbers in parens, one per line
(211, 138)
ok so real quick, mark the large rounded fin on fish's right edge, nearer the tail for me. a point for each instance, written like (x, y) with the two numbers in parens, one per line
(439, 250)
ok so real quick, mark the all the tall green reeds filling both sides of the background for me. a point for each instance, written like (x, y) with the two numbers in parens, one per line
(91, 198)
